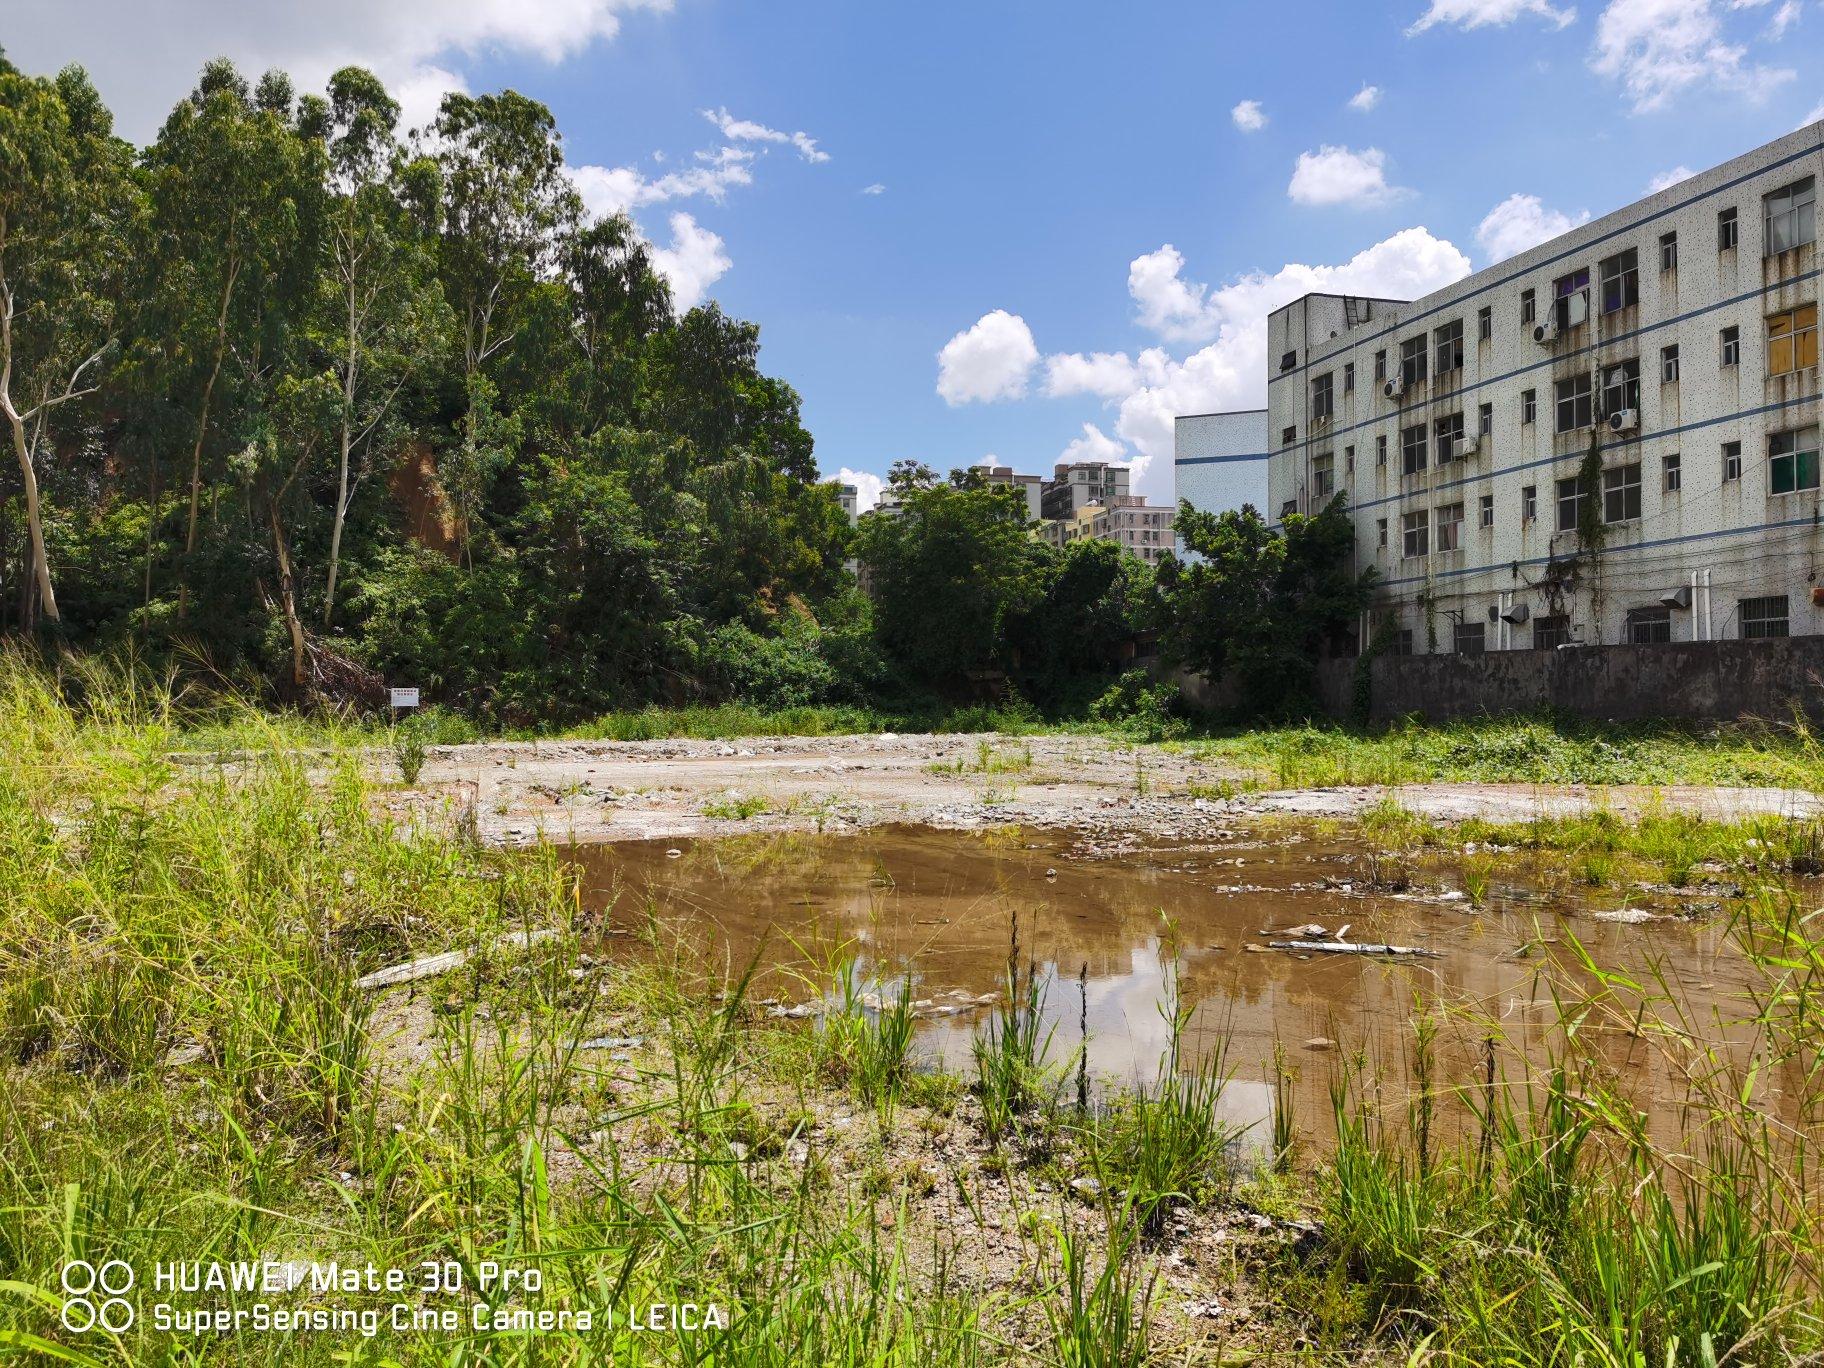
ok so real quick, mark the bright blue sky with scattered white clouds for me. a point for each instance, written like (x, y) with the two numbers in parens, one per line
(1062, 202)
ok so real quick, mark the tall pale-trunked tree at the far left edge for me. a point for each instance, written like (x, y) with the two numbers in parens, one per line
(63, 191)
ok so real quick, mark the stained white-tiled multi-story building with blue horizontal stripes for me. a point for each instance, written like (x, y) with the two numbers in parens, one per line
(1608, 439)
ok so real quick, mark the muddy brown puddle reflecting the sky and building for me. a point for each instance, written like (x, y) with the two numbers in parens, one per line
(940, 906)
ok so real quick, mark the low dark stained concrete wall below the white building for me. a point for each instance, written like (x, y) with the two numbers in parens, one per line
(1714, 681)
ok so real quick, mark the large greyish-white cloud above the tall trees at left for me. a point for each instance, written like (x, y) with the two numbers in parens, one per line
(147, 57)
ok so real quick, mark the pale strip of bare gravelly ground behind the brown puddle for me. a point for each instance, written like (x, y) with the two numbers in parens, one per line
(523, 793)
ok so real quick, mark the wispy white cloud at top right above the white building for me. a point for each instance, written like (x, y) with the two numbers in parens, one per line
(1661, 48)
